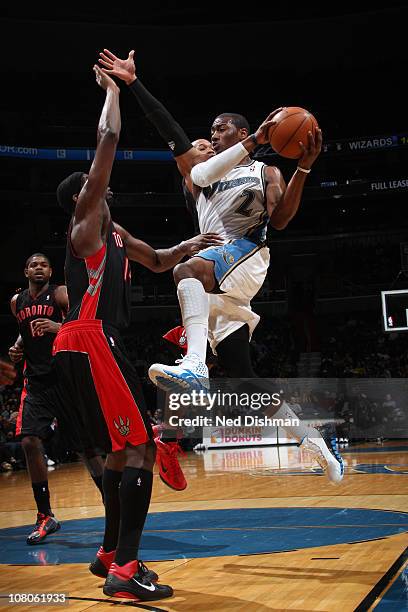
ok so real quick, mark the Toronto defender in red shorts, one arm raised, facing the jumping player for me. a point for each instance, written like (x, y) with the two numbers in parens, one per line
(102, 394)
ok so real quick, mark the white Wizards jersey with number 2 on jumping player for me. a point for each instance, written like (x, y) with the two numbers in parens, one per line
(235, 206)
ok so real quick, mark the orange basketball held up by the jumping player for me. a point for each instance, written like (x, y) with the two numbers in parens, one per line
(292, 124)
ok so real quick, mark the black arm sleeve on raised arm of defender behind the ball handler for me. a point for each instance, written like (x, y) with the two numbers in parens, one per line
(160, 117)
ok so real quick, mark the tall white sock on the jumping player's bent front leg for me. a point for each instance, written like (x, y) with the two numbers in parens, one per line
(194, 310)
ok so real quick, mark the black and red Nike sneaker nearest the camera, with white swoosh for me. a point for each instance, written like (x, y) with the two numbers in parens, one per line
(128, 582)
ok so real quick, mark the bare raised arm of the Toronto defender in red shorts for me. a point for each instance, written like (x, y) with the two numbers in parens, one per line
(91, 211)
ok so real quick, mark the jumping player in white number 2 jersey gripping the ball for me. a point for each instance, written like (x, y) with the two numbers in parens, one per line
(240, 205)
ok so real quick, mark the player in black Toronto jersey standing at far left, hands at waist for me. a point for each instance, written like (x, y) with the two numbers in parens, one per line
(39, 311)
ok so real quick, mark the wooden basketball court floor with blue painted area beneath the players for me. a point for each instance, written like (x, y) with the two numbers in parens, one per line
(256, 529)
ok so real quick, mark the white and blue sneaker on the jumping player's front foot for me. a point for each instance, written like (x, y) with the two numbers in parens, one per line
(191, 374)
